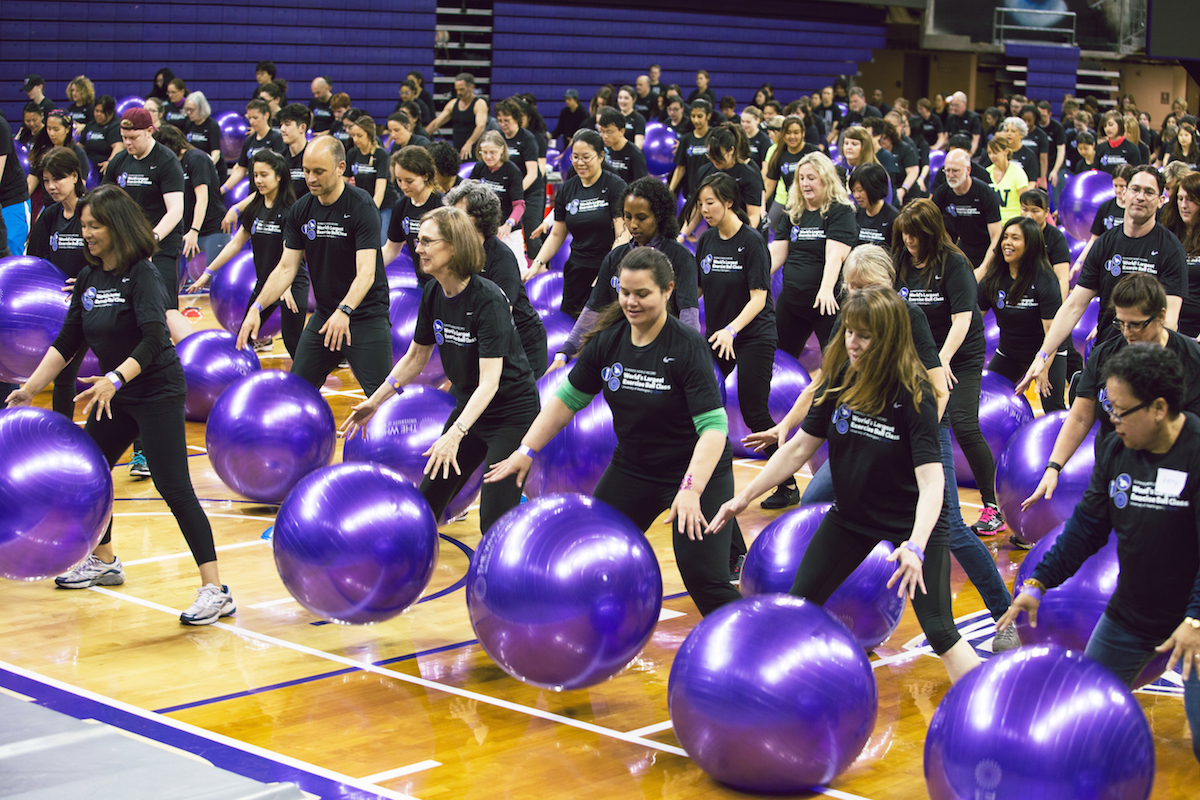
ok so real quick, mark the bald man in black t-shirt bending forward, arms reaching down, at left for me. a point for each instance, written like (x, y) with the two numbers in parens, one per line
(335, 230)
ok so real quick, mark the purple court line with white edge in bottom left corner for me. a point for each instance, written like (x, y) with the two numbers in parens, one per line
(227, 754)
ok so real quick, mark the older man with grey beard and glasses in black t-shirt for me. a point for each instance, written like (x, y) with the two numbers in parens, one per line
(970, 209)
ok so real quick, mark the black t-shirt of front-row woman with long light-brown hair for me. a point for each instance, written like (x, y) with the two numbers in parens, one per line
(874, 460)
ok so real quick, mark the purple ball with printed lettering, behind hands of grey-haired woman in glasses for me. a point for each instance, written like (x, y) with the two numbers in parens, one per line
(405, 428)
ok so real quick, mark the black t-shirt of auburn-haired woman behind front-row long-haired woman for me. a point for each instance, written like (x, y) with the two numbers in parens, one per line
(941, 296)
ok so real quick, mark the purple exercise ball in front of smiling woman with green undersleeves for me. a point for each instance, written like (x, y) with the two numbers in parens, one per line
(565, 592)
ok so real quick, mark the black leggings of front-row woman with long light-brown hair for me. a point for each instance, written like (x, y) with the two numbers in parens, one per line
(837, 551)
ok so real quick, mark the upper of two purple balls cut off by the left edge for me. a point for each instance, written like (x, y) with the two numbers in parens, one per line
(33, 309)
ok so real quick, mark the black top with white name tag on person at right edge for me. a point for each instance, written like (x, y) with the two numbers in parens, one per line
(1151, 503)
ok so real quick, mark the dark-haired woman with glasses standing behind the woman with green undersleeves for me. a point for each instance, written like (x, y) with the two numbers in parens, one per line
(589, 207)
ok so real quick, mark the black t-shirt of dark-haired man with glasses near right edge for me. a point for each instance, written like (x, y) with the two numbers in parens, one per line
(1114, 255)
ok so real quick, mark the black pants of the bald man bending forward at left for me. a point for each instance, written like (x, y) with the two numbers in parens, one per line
(369, 353)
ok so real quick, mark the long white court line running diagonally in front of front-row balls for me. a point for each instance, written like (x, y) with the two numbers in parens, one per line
(410, 679)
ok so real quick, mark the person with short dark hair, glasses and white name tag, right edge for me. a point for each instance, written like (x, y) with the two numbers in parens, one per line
(1144, 489)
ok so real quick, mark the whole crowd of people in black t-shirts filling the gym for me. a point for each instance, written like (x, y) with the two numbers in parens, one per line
(889, 266)
